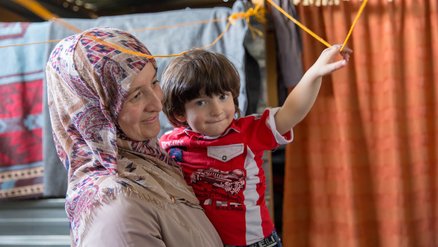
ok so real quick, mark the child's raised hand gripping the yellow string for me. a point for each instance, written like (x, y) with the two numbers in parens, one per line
(324, 66)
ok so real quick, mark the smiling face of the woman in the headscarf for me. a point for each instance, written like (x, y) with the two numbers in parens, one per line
(139, 117)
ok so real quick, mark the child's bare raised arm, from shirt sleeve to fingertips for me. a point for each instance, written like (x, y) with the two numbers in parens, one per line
(299, 102)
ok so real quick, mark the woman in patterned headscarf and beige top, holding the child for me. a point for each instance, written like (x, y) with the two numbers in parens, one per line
(123, 189)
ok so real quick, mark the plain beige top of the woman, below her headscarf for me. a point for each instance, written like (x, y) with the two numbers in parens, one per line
(130, 222)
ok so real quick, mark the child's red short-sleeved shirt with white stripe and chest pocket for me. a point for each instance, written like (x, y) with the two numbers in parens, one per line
(227, 176)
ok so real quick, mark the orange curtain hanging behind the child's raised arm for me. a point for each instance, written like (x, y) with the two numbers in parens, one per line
(363, 169)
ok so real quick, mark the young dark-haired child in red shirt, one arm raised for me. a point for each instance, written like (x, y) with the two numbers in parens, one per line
(220, 153)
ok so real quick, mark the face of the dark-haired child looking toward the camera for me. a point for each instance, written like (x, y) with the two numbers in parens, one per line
(209, 116)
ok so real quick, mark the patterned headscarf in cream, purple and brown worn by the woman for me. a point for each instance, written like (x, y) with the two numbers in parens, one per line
(87, 82)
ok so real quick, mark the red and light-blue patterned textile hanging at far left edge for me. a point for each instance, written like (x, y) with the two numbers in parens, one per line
(21, 115)
